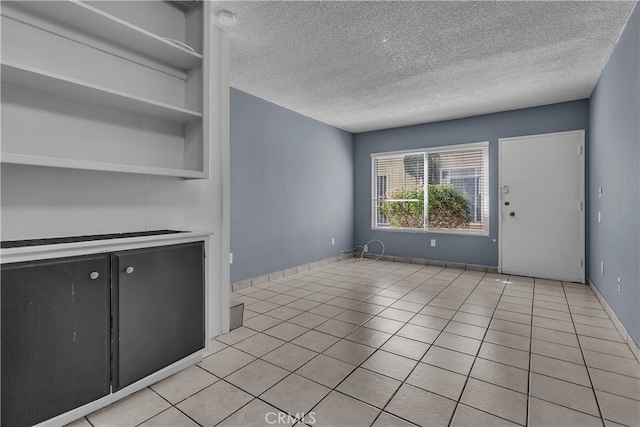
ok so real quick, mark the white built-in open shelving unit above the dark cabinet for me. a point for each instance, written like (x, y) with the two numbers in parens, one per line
(84, 89)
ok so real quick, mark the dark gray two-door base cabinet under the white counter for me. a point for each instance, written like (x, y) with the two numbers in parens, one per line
(76, 329)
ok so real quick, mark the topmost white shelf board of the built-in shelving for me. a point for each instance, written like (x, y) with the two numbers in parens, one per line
(87, 18)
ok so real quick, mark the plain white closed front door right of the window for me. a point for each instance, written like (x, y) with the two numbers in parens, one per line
(542, 206)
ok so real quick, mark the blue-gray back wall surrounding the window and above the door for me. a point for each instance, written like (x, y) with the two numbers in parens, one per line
(481, 250)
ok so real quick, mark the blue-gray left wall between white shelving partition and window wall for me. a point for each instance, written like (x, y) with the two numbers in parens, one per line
(291, 188)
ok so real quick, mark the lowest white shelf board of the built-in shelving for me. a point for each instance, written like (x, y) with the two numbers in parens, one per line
(25, 159)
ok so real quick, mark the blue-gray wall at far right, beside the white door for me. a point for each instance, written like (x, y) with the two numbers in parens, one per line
(614, 165)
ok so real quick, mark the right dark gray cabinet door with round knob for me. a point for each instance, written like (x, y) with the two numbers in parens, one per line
(158, 309)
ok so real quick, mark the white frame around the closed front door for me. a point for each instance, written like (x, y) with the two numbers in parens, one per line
(583, 207)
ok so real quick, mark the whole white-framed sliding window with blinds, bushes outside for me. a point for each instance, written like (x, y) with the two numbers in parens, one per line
(439, 189)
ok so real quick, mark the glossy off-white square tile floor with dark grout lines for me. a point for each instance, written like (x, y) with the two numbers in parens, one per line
(377, 343)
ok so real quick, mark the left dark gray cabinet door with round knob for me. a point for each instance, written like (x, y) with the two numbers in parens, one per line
(55, 337)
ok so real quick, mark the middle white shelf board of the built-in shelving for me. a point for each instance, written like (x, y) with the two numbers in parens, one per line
(77, 90)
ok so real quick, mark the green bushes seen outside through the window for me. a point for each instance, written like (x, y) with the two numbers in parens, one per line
(448, 207)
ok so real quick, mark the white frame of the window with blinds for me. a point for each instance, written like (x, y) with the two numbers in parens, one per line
(485, 206)
